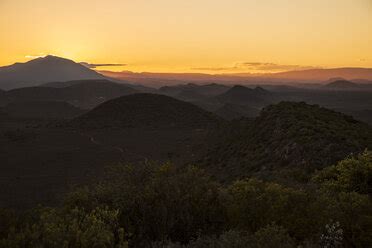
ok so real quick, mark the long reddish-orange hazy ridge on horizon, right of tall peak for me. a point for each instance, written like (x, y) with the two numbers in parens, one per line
(299, 76)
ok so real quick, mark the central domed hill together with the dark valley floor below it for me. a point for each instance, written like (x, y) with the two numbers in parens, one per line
(39, 162)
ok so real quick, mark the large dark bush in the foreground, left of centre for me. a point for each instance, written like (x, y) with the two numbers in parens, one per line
(158, 202)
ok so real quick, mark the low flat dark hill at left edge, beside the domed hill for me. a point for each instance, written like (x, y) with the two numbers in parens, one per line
(42, 110)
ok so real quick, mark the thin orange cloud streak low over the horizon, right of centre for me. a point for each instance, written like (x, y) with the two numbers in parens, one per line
(257, 66)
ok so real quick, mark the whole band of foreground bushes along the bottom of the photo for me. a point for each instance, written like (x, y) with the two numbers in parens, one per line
(160, 205)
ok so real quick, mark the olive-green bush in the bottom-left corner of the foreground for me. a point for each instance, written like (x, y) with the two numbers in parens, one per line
(68, 228)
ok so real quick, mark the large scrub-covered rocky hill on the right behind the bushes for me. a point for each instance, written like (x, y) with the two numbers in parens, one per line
(288, 135)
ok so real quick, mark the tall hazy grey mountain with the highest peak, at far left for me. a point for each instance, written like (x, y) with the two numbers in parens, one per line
(43, 70)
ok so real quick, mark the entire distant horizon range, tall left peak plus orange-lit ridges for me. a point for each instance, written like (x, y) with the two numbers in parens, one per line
(55, 69)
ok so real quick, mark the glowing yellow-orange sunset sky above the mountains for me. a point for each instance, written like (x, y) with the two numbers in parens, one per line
(211, 36)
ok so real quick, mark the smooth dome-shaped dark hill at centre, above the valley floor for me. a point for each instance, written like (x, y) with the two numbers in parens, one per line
(146, 110)
